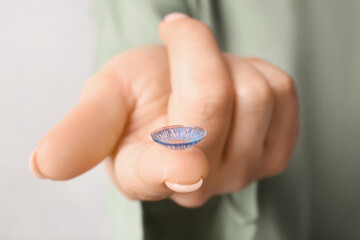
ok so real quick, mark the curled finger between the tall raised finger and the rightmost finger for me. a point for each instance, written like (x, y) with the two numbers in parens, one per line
(254, 102)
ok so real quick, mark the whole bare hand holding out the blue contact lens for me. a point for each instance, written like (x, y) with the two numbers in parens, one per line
(248, 107)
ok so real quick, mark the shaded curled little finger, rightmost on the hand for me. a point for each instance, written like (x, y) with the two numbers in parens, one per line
(284, 127)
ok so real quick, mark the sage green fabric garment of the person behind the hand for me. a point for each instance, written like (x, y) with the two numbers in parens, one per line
(316, 42)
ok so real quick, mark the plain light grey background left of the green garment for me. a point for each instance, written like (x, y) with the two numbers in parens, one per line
(46, 54)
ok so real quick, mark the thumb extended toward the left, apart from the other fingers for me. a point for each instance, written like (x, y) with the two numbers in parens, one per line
(88, 133)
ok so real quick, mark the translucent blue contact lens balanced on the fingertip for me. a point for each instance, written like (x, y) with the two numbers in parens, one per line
(178, 137)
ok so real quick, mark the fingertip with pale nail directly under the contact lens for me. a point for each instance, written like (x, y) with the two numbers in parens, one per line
(178, 171)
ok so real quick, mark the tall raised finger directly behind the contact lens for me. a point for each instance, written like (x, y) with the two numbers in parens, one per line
(201, 85)
